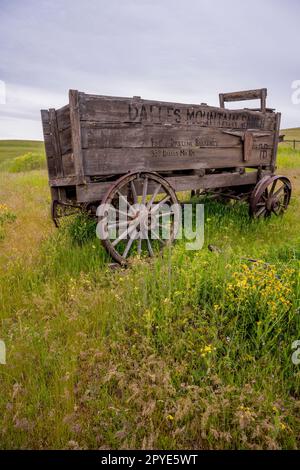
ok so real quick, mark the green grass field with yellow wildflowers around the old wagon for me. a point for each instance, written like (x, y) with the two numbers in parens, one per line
(189, 350)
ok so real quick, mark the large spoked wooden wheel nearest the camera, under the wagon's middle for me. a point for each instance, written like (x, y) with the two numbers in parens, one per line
(139, 212)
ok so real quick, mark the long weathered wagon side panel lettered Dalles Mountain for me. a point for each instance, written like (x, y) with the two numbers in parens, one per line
(123, 134)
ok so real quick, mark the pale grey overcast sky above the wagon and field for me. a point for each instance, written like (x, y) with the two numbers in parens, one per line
(184, 51)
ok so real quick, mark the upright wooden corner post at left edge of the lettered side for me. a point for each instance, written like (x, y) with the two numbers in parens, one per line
(76, 134)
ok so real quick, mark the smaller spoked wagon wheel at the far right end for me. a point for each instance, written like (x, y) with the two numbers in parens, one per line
(270, 196)
